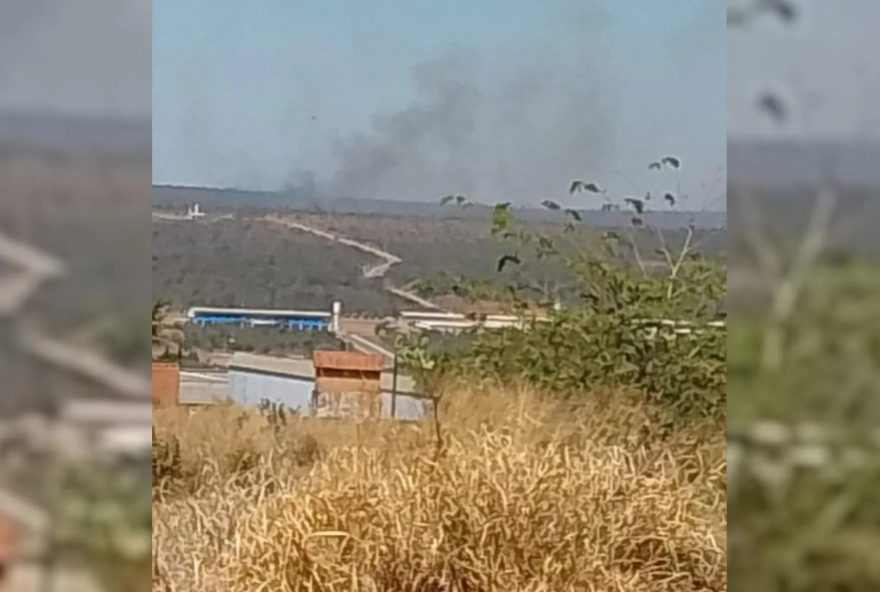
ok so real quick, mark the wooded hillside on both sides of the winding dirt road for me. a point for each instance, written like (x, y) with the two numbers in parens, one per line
(246, 261)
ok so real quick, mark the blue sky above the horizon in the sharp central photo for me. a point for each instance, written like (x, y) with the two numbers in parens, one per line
(250, 94)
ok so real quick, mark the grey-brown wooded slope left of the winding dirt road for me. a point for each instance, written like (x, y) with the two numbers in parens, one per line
(244, 262)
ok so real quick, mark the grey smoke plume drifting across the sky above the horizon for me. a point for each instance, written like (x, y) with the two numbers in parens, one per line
(514, 130)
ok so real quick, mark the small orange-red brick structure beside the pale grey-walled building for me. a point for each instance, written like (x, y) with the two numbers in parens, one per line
(347, 384)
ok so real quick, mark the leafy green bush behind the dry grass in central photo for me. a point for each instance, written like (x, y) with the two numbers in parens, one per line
(600, 337)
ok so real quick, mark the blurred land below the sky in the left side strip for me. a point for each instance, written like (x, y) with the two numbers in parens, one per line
(74, 295)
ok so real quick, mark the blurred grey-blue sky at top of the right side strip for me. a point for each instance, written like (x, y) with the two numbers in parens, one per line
(823, 67)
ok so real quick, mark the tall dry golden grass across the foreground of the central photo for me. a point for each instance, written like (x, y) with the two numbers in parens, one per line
(523, 496)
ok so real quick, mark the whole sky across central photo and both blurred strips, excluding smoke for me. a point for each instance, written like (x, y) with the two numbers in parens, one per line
(249, 70)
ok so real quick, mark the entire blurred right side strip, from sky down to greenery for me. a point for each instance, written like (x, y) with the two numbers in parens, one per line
(804, 341)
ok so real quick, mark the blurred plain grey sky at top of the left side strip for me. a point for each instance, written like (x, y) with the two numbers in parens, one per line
(84, 58)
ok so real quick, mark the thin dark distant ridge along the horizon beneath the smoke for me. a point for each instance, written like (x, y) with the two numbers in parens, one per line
(178, 197)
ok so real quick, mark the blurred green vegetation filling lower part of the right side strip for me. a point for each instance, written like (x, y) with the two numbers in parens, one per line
(804, 423)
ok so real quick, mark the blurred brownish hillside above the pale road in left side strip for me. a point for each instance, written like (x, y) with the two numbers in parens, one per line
(88, 208)
